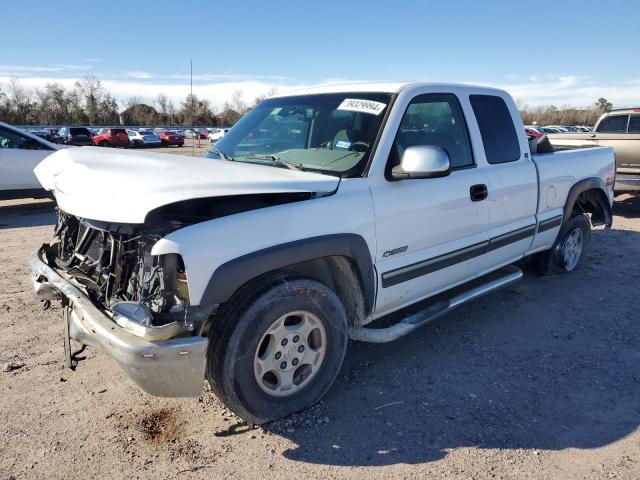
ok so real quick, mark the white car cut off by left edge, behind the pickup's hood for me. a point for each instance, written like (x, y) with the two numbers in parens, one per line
(20, 152)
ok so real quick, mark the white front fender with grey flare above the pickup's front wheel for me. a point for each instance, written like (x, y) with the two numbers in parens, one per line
(223, 253)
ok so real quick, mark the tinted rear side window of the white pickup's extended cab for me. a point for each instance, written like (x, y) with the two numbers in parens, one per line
(498, 133)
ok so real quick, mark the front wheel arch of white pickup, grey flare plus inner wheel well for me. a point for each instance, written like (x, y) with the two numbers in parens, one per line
(341, 261)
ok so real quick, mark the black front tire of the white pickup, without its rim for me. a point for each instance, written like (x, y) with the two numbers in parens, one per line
(240, 326)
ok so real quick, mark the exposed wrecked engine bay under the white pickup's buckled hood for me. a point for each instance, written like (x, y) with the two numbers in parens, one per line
(114, 264)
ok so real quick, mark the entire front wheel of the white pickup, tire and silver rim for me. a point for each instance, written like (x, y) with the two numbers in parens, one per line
(279, 351)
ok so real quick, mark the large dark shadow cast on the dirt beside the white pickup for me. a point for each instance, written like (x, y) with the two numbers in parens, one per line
(547, 364)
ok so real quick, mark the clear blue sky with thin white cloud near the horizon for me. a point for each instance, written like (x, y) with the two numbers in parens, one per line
(556, 52)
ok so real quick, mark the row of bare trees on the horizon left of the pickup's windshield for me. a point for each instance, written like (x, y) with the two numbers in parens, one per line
(89, 103)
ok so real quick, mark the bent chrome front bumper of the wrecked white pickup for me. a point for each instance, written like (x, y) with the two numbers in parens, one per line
(168, 368)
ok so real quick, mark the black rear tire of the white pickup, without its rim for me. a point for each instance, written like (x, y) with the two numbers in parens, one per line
(553, 260)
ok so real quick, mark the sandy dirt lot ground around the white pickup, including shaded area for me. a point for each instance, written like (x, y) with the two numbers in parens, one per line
(541, 380)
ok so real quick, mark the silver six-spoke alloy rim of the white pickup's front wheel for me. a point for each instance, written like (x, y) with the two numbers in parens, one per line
(290, 353)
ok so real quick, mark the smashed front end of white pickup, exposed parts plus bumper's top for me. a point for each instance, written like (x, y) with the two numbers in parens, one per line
(112, 264)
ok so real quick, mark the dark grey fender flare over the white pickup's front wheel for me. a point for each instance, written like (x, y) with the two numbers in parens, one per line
(230, 276)
